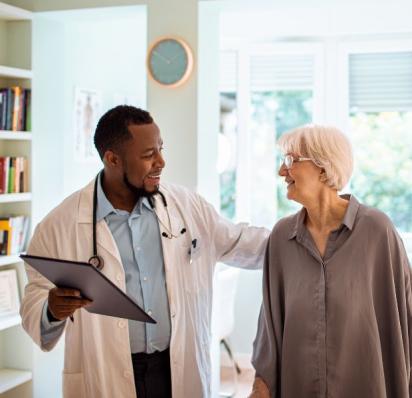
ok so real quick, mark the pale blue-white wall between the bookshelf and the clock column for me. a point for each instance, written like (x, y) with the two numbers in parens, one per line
(101, 49)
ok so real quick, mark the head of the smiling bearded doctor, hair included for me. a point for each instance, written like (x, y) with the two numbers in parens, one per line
(130, 146)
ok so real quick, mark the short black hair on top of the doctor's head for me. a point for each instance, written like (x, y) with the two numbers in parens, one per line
(113, 127)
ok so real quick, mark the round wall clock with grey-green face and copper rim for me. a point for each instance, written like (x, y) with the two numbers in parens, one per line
(170, 62)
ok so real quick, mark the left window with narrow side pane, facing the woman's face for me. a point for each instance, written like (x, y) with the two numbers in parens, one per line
(272, 92)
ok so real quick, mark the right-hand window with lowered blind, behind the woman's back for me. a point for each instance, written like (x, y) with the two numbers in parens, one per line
(380, 114)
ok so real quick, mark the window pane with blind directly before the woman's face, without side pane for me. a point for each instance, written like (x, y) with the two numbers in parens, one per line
(281, 99)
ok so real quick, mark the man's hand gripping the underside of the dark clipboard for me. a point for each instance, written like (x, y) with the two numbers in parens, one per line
(64, 301)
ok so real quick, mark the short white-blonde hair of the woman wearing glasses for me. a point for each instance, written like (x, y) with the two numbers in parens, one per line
(327, 146)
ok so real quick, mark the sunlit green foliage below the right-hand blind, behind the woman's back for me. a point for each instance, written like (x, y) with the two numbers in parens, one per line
(383, 163)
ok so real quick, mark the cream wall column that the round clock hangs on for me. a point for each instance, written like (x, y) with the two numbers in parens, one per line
(175, 110)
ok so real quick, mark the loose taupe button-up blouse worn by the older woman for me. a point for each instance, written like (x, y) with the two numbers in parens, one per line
(337, 326)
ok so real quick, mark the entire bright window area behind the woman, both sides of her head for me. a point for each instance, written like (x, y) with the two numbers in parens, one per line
(365, 88)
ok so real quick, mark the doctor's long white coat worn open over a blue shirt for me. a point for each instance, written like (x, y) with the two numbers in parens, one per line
(97, 350)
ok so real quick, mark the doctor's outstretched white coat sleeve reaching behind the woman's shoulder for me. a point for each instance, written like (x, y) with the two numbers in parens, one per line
(239, 245)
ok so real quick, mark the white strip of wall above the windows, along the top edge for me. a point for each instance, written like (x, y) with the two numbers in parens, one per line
(300, 19)
